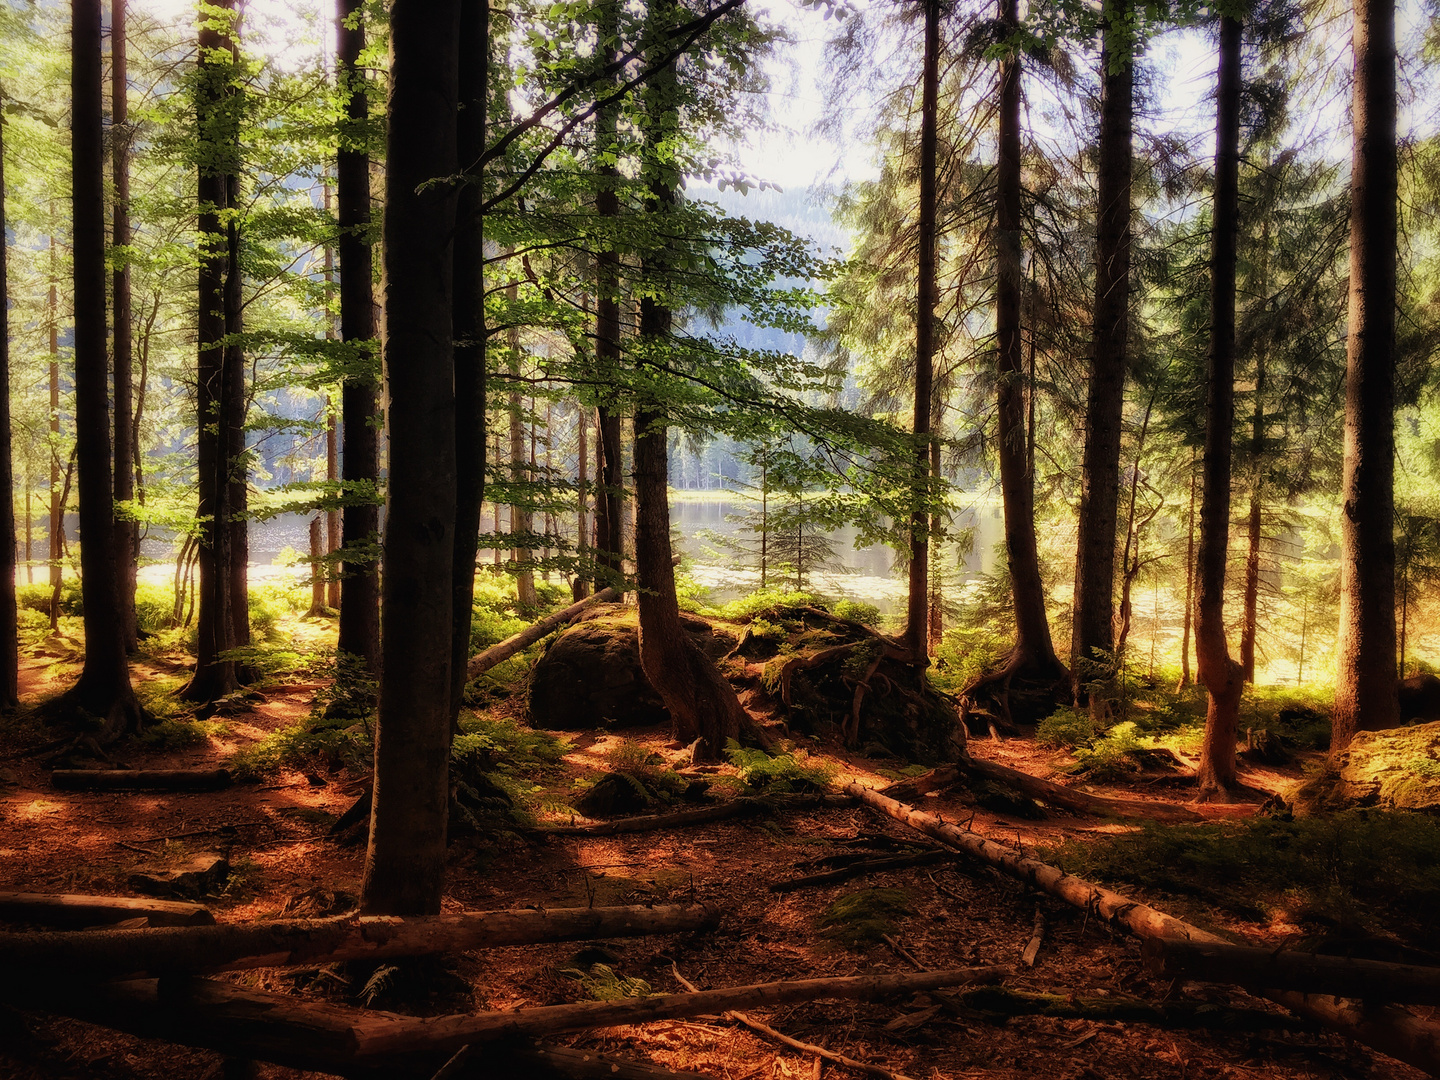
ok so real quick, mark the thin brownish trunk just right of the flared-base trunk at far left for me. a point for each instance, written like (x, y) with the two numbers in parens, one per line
(127, 531)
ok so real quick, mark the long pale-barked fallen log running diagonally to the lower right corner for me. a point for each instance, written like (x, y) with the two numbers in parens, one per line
(1389, 1029)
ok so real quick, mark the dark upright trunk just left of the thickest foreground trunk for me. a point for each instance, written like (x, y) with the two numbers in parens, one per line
(359, 395)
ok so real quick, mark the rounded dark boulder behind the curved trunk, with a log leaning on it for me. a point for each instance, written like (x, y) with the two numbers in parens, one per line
(591, 676)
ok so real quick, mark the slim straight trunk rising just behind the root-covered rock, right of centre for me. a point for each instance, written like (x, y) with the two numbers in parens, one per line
(917, 614)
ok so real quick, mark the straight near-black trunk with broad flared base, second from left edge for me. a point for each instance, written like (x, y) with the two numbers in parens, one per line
(103, 689)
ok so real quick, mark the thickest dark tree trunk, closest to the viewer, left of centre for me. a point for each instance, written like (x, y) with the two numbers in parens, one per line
(405, 865)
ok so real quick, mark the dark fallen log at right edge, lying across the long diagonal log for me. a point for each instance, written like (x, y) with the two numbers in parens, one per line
(1298, 971)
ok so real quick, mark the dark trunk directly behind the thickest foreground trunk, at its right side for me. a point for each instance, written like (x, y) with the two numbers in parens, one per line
(470, 336)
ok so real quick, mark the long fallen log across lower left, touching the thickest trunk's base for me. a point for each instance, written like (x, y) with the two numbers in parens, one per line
(230, 947)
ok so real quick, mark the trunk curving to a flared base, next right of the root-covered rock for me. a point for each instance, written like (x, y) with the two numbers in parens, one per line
(1035, 654)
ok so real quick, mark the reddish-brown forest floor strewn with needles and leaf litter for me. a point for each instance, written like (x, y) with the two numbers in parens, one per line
(945, 915)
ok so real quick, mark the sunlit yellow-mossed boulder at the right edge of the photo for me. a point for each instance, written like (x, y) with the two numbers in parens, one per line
(1395, 770)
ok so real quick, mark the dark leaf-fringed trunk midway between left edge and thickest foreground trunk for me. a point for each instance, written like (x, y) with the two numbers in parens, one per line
(215, 374)
